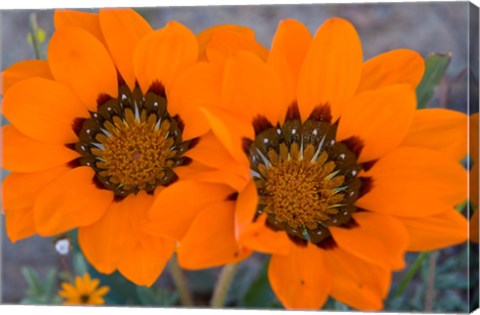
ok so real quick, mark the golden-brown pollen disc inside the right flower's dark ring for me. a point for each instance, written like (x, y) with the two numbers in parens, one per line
(300, 192)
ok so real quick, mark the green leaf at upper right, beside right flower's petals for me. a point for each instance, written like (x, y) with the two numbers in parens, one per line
(435, 66)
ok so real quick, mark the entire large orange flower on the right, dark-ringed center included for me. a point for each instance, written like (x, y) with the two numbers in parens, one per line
(339, 174)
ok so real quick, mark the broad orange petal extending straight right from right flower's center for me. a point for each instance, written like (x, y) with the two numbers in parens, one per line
(414, 182)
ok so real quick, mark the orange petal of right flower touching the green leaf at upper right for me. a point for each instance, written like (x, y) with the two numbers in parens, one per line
(394, 67)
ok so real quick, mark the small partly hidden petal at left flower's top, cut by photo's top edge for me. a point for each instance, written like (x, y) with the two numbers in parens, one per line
(84, 20)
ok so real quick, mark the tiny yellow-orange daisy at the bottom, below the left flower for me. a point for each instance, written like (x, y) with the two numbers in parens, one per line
(85, 291)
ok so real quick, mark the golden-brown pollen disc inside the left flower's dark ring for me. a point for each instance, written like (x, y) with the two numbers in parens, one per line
(137, 152)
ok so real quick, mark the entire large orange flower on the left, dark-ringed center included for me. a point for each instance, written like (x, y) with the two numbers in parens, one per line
(98, 140)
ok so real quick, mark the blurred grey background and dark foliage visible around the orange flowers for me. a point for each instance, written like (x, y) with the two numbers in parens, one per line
(424, 27)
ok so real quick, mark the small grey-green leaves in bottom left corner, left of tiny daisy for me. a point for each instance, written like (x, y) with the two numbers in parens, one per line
(41, 292)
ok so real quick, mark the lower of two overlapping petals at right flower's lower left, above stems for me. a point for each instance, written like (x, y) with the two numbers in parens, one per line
(210, 240)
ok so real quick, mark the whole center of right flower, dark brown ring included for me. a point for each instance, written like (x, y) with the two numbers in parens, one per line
(306, 180)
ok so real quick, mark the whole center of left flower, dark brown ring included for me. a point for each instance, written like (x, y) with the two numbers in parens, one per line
(132, 142)
